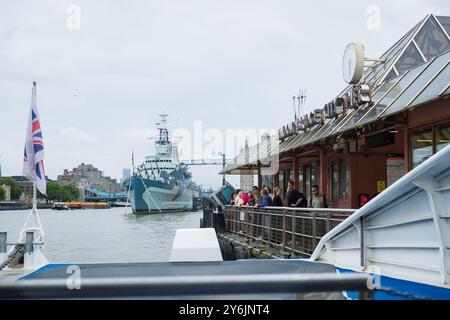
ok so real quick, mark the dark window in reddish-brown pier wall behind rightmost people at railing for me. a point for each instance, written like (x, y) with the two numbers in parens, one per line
(340, 174)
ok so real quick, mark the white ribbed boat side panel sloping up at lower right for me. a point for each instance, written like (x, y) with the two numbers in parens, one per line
(404, 232)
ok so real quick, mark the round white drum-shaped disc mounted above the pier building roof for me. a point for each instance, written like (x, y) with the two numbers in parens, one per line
(353, 63)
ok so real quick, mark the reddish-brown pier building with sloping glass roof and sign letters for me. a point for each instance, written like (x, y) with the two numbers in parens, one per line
(372, 132)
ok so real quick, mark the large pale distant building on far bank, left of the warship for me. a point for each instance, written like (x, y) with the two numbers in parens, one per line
(86, 175)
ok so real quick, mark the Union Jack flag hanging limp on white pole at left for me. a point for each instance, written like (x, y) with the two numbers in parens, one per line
(33, 158)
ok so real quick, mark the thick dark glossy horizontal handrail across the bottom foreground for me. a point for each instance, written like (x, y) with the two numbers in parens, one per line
(185, 285)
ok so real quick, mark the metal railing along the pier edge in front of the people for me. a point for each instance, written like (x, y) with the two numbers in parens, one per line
(296, 230)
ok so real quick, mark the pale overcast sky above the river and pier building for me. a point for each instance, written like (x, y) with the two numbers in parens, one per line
(106, 69)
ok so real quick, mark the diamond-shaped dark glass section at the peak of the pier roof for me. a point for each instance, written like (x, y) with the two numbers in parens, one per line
(431, 40)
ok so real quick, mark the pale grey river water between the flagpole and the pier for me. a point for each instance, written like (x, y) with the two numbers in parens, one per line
(106, 235)
